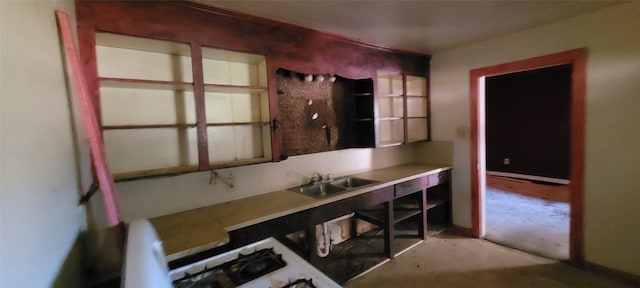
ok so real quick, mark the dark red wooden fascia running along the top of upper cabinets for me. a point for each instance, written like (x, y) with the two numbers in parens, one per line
(299, 49)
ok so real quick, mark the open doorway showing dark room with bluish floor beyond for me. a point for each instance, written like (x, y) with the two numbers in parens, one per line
(528, 151)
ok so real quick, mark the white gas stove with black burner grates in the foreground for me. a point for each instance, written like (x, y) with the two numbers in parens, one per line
(263, 264)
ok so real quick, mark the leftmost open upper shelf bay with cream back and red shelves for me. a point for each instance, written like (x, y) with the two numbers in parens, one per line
(147, 105)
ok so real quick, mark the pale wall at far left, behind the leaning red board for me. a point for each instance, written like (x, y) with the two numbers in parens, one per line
(40, 187)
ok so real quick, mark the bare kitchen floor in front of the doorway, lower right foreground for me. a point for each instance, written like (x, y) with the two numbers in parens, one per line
(448, 260)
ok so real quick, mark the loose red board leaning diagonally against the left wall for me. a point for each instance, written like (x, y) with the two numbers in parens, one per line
(96, 144)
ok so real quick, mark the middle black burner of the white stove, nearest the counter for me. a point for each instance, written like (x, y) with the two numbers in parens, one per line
(251, 266)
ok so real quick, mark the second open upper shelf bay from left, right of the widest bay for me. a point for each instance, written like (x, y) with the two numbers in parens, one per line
(236, 107)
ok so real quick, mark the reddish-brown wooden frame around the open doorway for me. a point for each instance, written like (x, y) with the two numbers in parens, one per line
(577, 58)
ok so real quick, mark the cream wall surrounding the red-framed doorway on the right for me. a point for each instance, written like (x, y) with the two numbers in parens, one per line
(612, 192)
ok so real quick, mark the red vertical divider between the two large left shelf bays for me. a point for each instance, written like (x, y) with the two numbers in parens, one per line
(201, 117)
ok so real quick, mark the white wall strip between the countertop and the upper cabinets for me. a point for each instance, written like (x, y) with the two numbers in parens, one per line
(162, 196)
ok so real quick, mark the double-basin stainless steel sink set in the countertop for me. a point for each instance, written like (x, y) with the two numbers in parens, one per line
(331, 187)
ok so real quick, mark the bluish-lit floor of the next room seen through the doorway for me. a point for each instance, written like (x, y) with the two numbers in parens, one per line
(527, 223)
